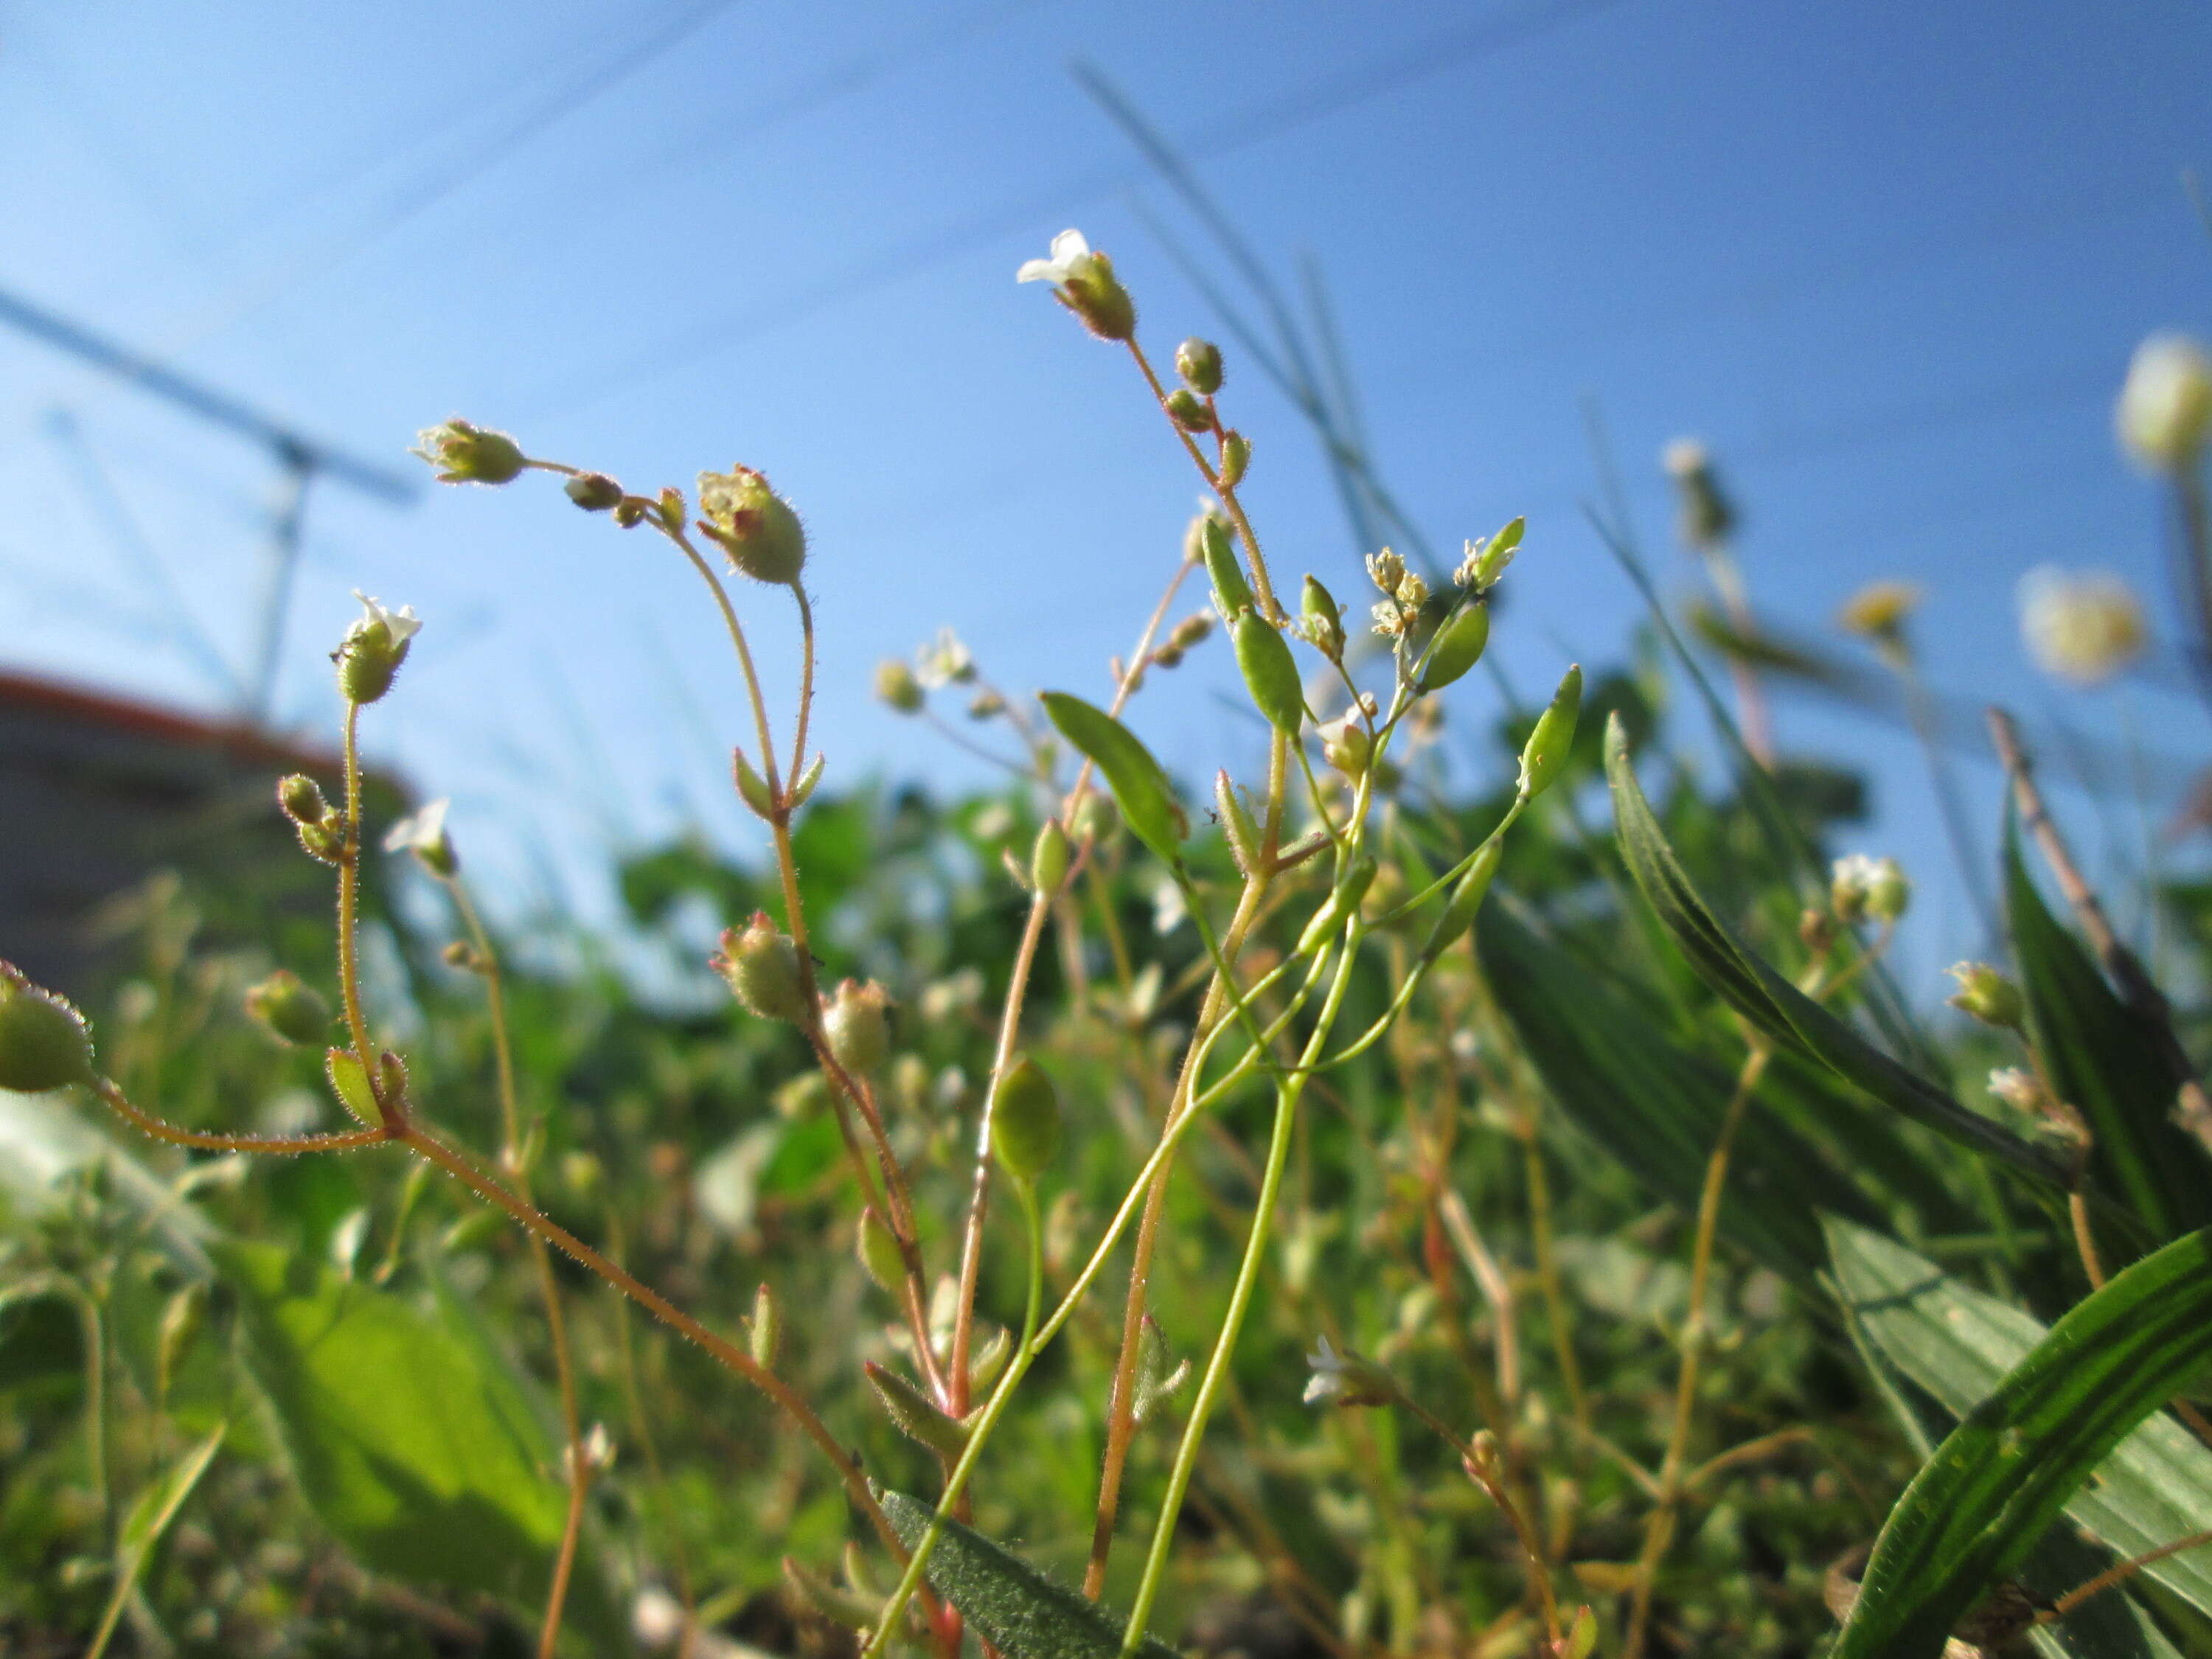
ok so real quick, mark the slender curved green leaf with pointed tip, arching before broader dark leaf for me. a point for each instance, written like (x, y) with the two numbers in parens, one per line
(1777, 1008)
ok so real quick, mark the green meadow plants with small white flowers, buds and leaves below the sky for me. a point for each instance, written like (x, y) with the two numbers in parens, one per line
(1377, 1204)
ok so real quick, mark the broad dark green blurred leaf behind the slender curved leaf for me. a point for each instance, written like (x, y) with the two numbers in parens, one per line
(1660, 1109)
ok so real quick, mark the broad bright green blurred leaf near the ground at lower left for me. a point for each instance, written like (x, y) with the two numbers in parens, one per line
(413, 1446)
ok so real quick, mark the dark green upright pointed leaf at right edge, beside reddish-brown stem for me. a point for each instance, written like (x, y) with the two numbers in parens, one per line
(2107, 1063)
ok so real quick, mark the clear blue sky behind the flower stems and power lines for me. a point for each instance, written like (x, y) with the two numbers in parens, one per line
(1886, 260)
